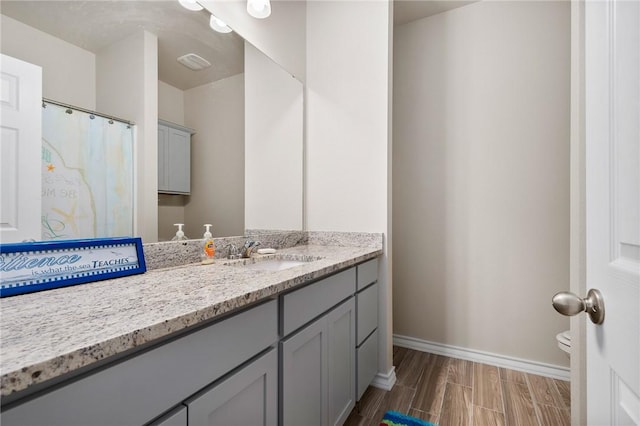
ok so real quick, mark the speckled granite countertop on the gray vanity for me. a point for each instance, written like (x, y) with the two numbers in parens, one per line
(47, 334)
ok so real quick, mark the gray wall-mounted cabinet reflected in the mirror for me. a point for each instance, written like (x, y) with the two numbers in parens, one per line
(174, 158)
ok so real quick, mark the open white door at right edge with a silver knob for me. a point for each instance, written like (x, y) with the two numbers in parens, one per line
(612, 66)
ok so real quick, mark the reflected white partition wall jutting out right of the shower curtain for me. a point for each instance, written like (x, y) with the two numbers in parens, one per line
(131, 92)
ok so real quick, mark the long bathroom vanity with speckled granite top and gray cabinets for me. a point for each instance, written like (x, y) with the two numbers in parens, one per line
(197, 344)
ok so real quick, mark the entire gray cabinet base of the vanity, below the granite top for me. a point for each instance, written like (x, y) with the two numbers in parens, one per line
(230, 373)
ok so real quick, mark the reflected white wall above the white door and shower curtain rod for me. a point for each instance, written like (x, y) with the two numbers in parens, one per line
(68, 72)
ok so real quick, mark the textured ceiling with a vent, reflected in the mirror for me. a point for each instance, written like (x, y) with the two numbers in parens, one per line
(93, 25)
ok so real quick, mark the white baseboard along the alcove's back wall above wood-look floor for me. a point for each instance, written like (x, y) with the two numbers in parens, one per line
(527, 366)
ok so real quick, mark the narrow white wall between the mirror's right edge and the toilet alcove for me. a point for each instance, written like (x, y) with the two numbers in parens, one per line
(348, 122)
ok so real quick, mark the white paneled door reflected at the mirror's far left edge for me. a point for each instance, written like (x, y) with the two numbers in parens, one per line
(20, 145)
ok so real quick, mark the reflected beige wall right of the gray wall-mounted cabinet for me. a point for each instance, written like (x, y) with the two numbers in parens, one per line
(216, 112)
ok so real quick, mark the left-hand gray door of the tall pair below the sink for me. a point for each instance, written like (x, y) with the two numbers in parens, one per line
(304, 376)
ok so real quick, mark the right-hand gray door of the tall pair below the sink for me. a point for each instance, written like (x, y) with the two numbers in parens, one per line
(341, 343)
